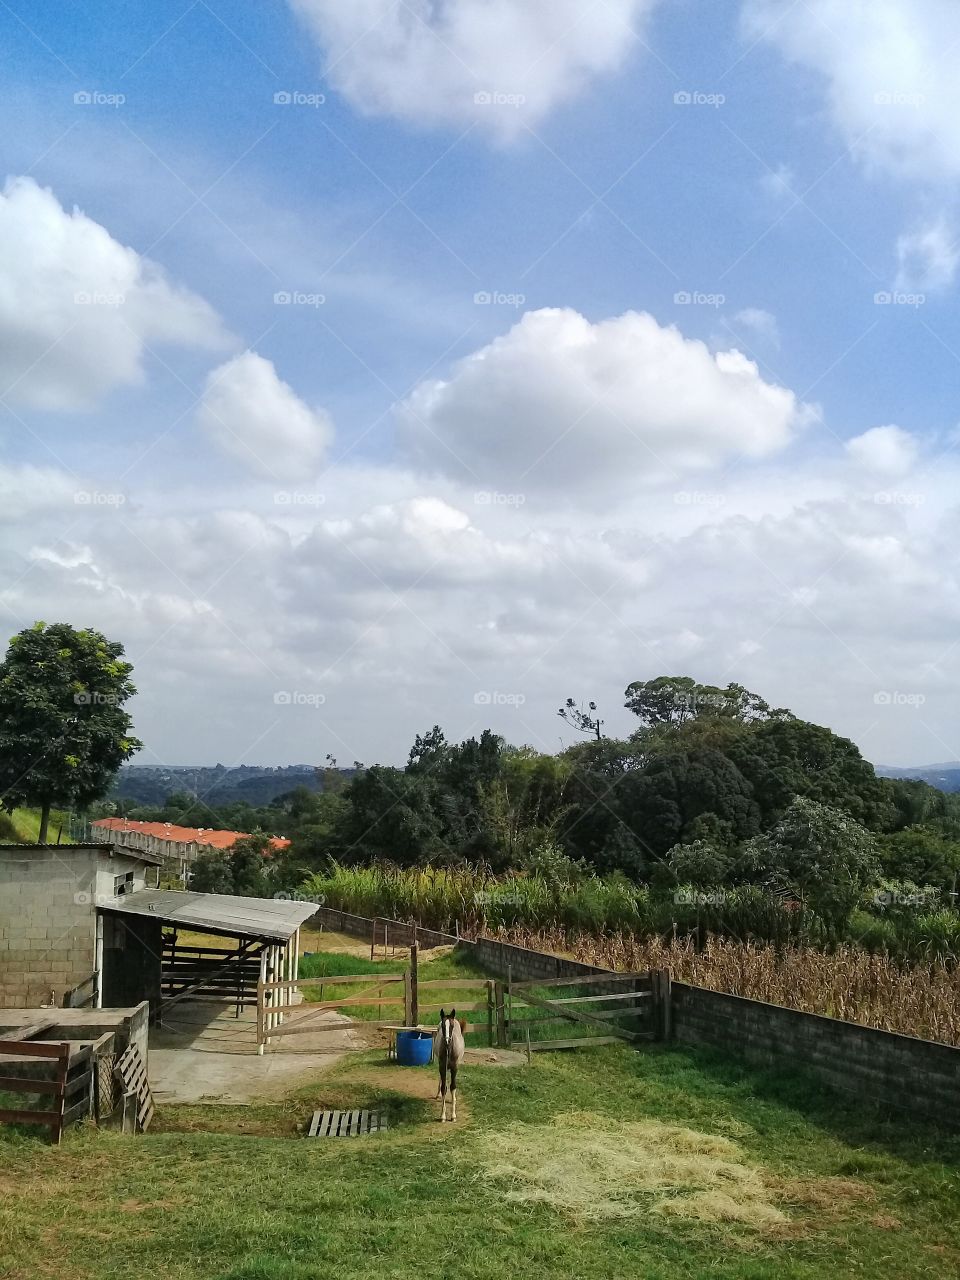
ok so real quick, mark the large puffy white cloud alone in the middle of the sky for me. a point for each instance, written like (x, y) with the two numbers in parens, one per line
(560, 404)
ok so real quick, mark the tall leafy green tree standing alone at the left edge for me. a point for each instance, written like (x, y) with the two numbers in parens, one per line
(63, 726)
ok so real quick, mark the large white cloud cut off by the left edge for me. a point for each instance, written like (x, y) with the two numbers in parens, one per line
(79, 309)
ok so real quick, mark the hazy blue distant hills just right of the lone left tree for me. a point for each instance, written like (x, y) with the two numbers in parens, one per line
(152, 785)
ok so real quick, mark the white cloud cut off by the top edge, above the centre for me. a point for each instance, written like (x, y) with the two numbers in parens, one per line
(499, 63)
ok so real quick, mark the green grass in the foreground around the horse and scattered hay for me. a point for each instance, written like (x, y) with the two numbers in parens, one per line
(235, 1194)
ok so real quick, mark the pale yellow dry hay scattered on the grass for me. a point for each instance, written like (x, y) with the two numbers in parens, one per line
(593, 1169)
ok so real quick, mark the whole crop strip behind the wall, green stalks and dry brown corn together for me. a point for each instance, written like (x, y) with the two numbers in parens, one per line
(748, 947)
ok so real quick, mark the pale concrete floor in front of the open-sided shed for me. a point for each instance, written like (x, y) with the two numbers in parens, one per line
(204, 1054)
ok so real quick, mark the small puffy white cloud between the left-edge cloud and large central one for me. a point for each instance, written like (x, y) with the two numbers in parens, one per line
(259, 419)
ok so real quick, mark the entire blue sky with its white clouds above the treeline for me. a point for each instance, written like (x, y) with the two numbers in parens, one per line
(396, 500)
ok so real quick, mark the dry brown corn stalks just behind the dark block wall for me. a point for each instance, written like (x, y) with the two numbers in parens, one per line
(848, 984)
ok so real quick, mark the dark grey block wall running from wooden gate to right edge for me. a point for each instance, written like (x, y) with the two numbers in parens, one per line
(921, 1077)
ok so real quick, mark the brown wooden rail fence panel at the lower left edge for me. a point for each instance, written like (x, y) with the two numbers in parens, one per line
(71, 1089)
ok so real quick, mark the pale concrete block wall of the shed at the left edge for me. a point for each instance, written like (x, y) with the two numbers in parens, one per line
(48, 922)
